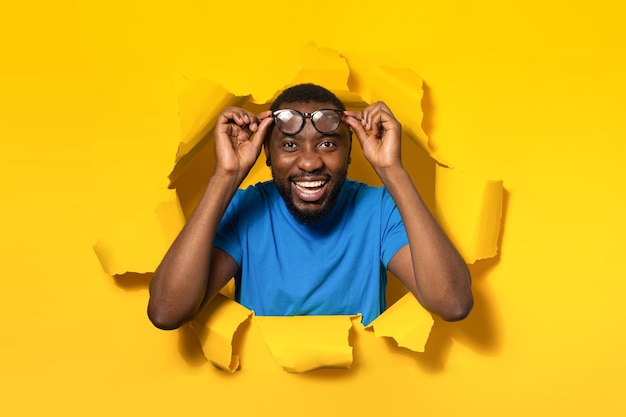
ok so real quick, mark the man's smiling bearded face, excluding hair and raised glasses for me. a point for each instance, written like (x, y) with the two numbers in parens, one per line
(309, 168)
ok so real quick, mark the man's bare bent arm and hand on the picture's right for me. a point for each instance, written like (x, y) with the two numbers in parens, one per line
(429, 265)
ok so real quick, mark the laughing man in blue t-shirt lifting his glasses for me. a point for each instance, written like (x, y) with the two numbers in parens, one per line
(310, 241)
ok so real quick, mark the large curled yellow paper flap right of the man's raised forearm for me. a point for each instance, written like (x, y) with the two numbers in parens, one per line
(469, 209)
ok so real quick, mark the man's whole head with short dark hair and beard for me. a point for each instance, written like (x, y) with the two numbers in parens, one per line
(310, 166)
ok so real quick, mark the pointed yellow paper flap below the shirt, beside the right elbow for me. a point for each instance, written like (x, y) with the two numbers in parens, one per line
(407, 322)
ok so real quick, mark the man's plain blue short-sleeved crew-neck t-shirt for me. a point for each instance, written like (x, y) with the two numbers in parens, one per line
(335, 267)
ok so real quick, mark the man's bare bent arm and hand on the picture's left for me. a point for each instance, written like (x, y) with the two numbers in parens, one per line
(193, 271)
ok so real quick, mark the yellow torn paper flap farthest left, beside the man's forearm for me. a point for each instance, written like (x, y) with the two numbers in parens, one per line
(139, 243)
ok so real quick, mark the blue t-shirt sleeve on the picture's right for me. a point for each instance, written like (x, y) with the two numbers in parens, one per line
(393, 233)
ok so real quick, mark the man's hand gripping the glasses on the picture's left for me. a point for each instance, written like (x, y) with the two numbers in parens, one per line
(239, 136)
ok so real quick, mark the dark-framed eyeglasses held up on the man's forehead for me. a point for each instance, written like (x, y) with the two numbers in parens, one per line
(291, 121)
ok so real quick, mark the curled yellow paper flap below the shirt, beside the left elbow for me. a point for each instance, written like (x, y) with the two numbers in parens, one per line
(216, 327)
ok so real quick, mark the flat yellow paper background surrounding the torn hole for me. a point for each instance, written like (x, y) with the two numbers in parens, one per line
(528, 92)
